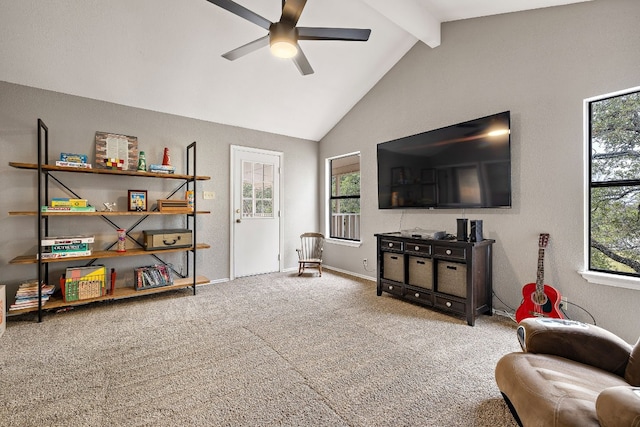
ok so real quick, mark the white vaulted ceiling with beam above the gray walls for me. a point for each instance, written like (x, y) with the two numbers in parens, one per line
(165, 55)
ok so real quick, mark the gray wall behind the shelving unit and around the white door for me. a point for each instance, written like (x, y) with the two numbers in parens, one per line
(72, 123)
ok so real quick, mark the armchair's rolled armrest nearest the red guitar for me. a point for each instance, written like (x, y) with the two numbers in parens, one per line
(588, 344)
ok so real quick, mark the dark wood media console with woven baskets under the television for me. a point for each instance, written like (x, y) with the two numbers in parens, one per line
(449, 275)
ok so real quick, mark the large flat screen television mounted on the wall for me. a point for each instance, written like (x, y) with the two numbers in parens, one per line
(467, 165)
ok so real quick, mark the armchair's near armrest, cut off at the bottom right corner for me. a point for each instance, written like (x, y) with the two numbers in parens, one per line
(618, 406)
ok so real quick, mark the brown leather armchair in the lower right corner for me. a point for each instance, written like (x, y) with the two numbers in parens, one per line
(570, 374)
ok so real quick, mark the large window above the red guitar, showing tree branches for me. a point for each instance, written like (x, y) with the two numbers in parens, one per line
(614, 183)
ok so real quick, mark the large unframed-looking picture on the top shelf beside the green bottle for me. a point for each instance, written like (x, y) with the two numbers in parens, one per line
(117, 152)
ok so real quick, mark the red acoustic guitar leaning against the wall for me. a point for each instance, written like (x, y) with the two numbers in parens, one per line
(540, 300)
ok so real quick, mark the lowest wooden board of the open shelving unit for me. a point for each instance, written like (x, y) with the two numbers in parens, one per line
(57, 302)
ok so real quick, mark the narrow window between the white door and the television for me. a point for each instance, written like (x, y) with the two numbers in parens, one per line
(344, 198)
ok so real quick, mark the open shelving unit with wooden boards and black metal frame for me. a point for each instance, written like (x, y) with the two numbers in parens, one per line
(46, 171)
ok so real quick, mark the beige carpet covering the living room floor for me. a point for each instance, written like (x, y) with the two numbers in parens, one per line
(272, 350)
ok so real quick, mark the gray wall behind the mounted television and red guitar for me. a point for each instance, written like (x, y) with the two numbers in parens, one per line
(540, 65)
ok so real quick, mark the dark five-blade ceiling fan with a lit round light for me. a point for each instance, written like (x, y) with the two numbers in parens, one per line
(284, 35)
